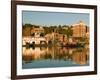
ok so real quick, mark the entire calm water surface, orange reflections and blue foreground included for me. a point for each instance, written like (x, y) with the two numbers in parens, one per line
(48, 57)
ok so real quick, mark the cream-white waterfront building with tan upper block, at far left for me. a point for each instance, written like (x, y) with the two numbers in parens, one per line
(35, 36)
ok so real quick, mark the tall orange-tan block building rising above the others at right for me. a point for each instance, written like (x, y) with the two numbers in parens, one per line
(80, 30)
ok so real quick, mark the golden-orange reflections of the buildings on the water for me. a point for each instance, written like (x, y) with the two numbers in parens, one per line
(78, 56)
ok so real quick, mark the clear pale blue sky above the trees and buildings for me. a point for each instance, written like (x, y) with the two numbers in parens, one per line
(53, 18)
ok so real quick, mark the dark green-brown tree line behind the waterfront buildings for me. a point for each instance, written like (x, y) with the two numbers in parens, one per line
(61, 29)
